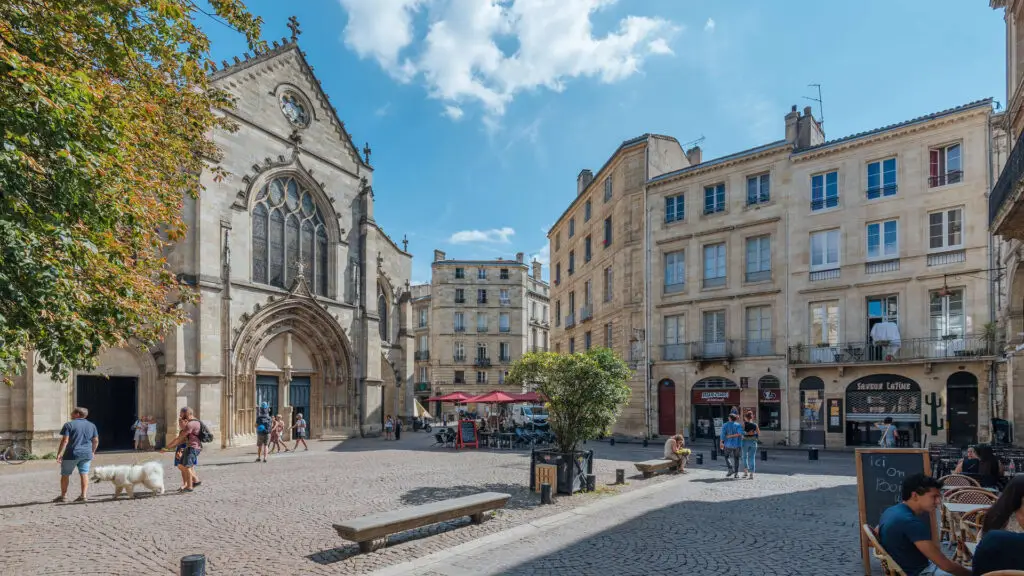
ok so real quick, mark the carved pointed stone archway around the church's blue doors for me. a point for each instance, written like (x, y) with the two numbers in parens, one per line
(333, 407)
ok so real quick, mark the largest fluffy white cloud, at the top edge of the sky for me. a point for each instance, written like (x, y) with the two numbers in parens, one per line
(459, 58)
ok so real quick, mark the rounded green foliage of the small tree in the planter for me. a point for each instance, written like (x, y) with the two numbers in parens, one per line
(586, 391)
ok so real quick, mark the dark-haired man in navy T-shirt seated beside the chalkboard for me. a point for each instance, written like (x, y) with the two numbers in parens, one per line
(906, 530)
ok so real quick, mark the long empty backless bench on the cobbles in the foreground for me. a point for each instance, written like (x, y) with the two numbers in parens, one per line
(365, 530)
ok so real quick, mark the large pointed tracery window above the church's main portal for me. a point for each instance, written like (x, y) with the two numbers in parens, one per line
(288, 229)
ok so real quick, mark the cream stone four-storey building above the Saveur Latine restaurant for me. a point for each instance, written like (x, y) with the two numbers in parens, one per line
(824, 285)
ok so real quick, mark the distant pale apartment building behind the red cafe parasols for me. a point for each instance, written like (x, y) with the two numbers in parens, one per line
(474, 320)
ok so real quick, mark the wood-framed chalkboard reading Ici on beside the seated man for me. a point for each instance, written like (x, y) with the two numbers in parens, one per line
(880, 479)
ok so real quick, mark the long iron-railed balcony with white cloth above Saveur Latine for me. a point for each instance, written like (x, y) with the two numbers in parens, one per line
(953, 348)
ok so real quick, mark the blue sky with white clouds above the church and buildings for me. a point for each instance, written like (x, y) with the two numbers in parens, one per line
(481, 114)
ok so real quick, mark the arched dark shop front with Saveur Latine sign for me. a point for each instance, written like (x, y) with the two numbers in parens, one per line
(872, 399)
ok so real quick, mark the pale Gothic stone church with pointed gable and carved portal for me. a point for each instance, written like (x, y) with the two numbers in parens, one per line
(305, 300)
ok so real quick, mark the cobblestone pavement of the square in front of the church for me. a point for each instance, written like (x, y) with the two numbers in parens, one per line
(277, 518)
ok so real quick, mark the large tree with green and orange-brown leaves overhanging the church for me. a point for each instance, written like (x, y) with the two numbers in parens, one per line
(106, 108)
